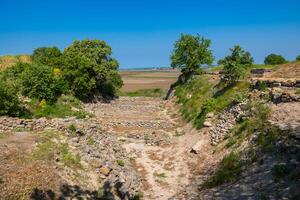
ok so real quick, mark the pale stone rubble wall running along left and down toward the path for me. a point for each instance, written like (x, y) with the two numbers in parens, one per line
(95, 146)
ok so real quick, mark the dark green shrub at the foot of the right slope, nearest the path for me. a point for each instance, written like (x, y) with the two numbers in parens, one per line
(229, 170)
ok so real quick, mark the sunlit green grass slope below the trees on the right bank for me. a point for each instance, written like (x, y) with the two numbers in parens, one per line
(199, 97)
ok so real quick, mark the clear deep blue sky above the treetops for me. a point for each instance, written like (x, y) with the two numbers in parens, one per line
(142, 32)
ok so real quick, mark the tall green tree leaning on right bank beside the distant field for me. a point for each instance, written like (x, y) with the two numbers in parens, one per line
(190, 53)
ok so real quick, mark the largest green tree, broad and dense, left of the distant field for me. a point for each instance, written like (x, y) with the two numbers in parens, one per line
(90, 70)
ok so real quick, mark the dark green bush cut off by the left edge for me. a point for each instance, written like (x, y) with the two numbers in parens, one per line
(9, 102)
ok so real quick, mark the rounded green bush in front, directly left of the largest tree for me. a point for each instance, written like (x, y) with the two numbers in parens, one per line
(39, 81)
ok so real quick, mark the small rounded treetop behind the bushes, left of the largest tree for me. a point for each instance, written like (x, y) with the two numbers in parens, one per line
(50, 56)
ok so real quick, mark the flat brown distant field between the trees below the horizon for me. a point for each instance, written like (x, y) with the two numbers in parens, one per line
(137, 80)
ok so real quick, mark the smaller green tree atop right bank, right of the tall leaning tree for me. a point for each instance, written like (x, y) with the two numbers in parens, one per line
(236, 64)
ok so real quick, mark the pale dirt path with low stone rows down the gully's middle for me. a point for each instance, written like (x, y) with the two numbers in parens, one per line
(159, 146)
